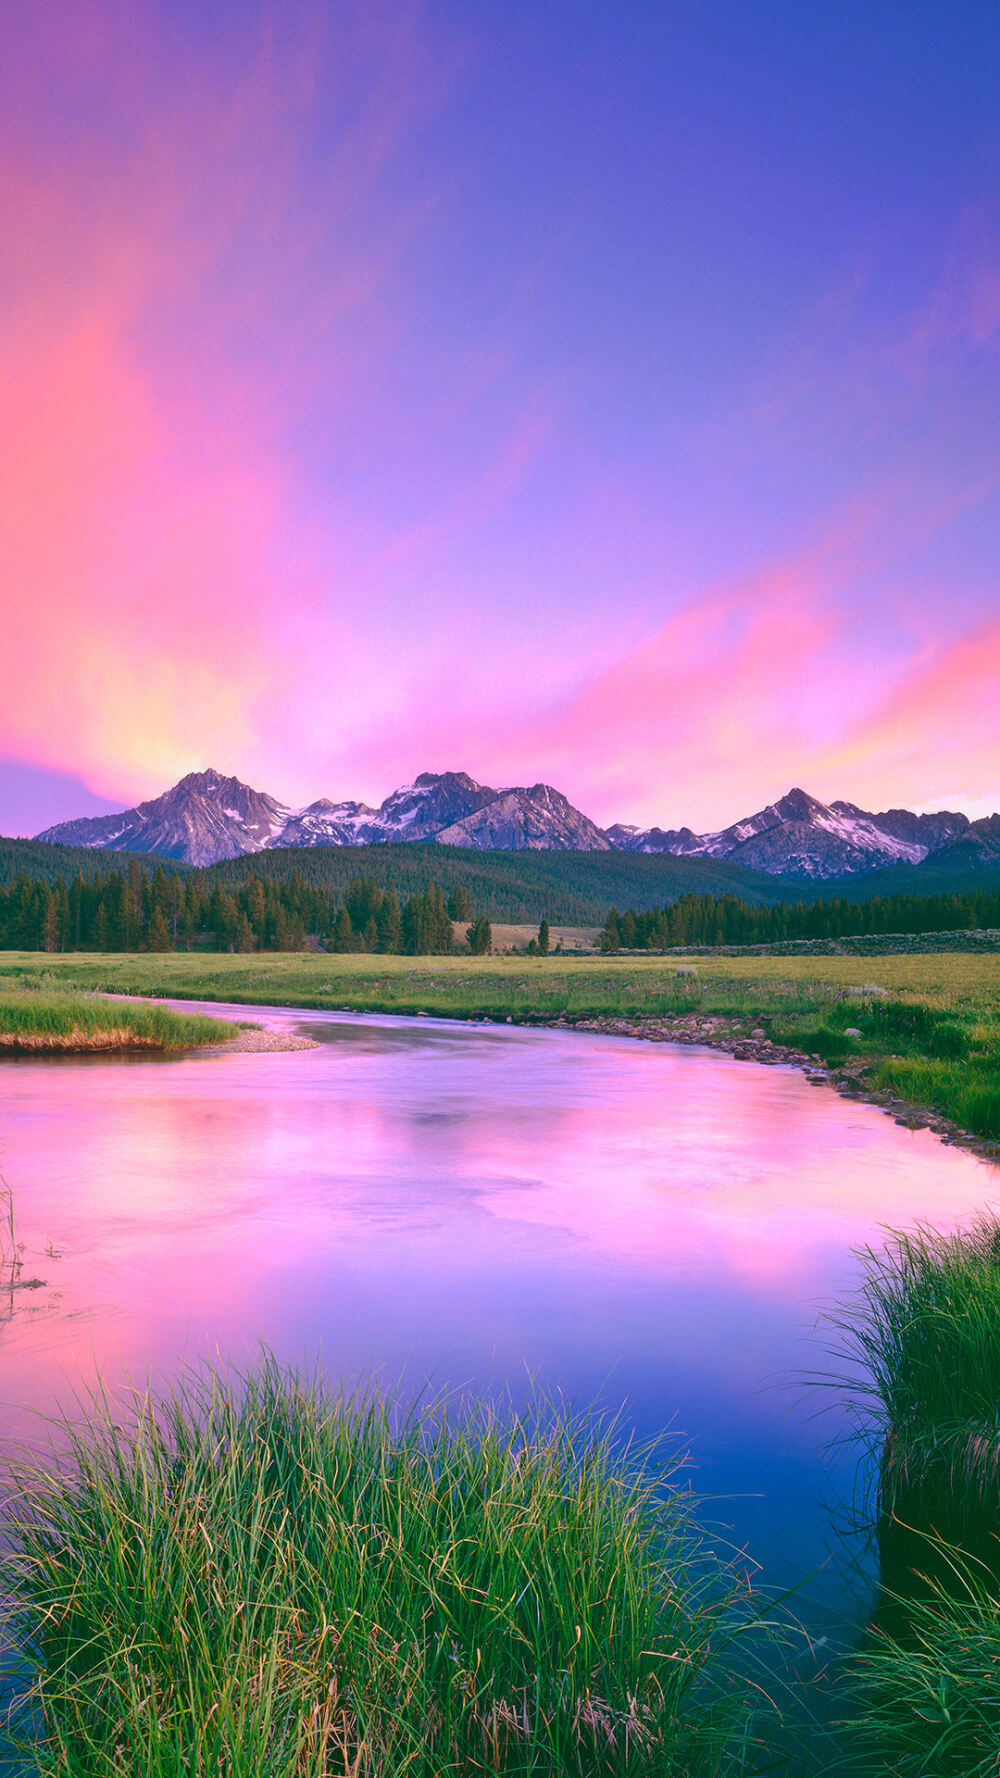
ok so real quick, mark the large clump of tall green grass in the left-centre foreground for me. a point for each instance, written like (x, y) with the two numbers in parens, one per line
(259, 1578)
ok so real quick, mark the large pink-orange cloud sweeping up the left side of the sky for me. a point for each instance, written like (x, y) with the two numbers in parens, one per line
(170, 312)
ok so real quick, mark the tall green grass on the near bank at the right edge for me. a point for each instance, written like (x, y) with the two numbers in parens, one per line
(926, 1331)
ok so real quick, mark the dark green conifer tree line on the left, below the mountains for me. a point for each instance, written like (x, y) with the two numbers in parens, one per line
(163, 911)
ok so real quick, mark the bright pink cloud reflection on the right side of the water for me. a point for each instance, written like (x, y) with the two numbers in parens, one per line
(714, 1169)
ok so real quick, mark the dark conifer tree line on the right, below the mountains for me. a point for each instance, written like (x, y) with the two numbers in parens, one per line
(729, 920)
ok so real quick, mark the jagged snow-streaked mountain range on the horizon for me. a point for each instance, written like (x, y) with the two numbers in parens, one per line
(209, 817)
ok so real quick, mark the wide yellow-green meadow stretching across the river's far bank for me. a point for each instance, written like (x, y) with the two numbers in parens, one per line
(930, 1025)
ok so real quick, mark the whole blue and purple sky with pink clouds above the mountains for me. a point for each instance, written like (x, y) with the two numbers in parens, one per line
(569, 390)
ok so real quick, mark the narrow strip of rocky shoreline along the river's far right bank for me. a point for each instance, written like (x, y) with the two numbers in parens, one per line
(850, 1078)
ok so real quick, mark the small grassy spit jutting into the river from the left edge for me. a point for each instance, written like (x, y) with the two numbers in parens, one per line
(61, 1020)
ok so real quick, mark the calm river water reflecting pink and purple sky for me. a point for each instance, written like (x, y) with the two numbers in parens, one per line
(625, 1222)
